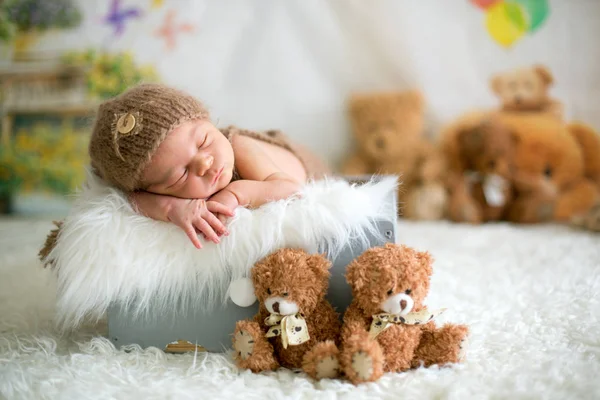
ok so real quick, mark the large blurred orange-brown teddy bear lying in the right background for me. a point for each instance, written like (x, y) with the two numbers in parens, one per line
(552, 179)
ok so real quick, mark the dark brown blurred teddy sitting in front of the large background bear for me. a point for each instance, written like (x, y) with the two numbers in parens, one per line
(480, 182)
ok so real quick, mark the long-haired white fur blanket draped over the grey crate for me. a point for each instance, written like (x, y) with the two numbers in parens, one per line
(106, 252)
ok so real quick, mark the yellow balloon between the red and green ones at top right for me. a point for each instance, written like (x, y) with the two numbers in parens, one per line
(500, 26)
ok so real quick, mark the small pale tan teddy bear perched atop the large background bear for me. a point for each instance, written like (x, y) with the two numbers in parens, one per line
(526, 89)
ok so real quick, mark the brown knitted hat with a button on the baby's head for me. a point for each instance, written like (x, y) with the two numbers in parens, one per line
(130, 127)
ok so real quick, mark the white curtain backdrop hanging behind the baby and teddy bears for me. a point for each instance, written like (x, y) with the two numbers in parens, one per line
(291, 64)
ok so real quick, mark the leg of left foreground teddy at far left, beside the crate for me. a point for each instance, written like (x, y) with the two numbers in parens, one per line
(252, 350)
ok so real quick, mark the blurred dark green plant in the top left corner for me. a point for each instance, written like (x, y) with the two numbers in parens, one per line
(41, 15)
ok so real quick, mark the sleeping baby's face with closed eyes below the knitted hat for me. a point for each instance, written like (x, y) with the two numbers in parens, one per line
(193, 162)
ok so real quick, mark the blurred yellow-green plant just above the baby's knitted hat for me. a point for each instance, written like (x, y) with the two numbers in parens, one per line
(109, 74)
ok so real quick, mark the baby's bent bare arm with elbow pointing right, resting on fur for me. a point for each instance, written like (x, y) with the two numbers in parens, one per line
(263, 181)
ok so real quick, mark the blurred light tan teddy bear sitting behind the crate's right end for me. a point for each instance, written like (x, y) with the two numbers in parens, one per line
(388, 128)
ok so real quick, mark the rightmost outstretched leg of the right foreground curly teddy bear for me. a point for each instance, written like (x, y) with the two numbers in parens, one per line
(441, 345)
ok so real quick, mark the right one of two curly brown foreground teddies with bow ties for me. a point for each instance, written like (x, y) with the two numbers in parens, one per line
(387, 327)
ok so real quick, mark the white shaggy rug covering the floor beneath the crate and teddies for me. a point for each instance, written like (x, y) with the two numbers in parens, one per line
(530, 294)
